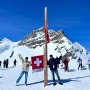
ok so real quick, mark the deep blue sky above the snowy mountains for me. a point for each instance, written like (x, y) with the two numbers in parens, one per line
(19, 17)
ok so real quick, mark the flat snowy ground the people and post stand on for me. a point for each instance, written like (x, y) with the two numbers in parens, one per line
(73, 80)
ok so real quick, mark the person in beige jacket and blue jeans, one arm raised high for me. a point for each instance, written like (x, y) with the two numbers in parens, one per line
(25, 69)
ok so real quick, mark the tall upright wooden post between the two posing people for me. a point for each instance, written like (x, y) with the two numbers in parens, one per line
(45, 49)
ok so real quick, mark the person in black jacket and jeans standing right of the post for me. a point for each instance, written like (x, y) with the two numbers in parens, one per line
(53, 63)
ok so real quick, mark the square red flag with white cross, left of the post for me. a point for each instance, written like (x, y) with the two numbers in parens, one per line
(37, 63)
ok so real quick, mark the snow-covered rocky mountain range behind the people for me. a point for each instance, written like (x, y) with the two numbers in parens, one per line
(34, 42)
